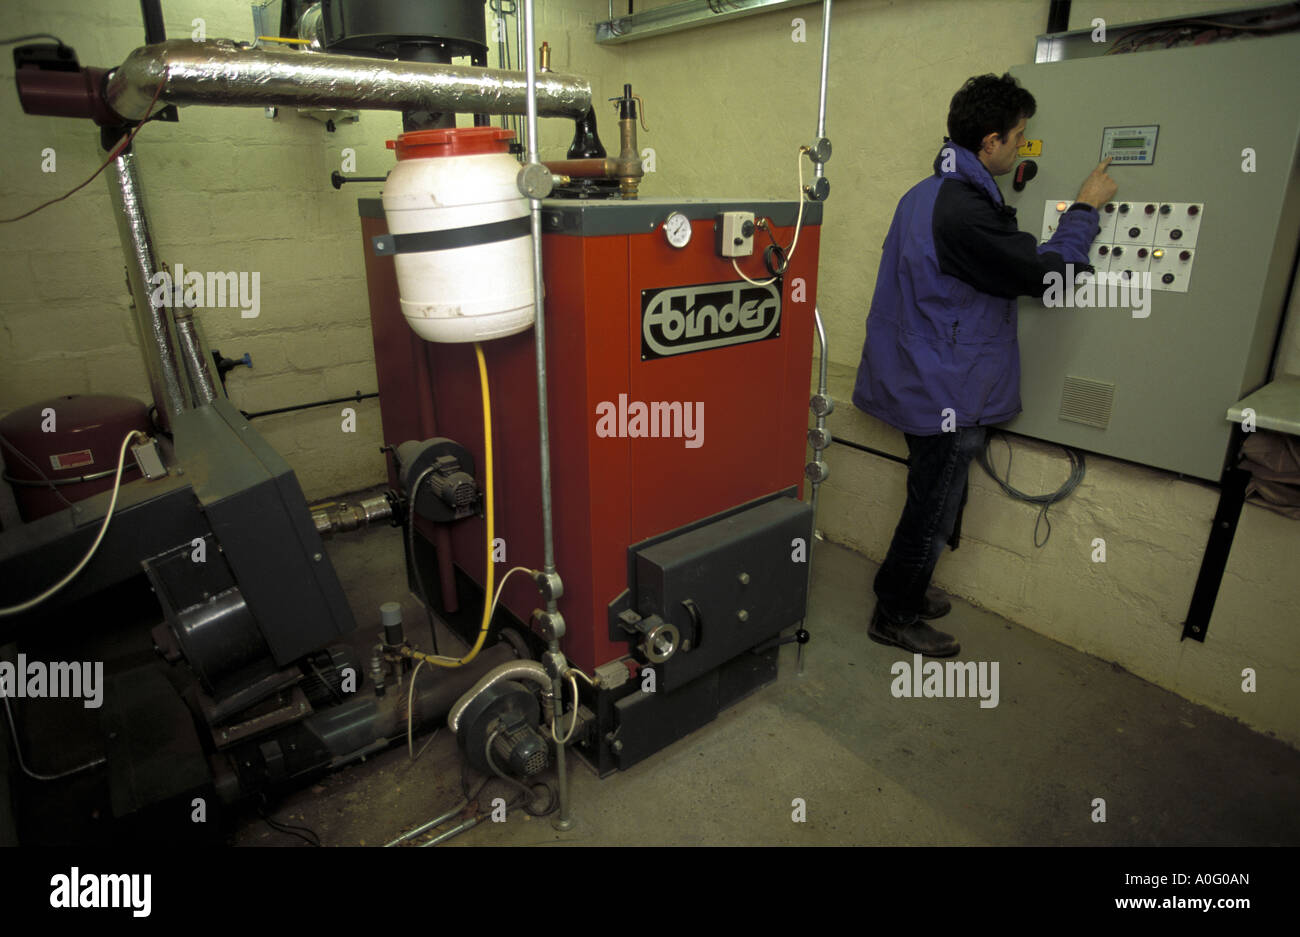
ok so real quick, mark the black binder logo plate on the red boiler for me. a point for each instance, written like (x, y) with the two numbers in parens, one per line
(684, 319)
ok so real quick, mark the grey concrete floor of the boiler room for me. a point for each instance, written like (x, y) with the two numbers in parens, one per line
(872, 769)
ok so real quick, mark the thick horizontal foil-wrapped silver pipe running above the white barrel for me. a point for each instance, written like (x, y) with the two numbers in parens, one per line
(224, 75)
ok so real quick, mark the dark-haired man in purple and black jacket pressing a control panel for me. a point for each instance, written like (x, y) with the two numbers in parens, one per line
(942, 361)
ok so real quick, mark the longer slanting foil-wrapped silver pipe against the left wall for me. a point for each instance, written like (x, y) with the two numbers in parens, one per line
(158, 344)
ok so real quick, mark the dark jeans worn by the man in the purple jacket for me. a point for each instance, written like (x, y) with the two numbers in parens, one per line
(938, 474)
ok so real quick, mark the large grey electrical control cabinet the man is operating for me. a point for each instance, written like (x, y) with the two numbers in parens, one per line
(1195, 257)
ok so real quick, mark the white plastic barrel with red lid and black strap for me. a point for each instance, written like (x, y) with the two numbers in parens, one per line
(458, 185)
